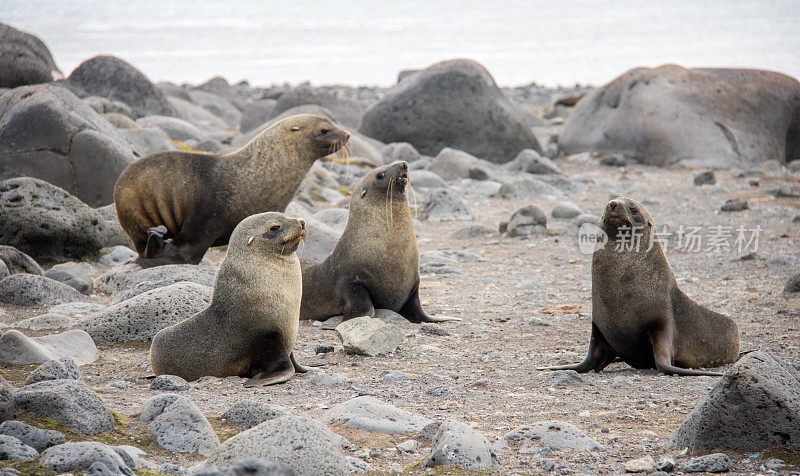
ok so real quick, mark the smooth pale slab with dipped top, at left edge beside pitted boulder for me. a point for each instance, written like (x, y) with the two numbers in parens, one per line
(17, 348)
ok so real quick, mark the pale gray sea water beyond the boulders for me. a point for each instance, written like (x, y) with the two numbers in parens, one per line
(366, 42)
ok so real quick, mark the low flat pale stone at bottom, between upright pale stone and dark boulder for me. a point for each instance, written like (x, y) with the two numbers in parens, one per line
(556, 435)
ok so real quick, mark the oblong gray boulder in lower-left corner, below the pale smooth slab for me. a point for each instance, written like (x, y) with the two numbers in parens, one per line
(71, 402)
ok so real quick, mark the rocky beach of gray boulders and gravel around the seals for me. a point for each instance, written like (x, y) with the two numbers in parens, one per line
(503, 182)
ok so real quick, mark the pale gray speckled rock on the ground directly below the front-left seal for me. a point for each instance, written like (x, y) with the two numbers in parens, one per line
(179, 425)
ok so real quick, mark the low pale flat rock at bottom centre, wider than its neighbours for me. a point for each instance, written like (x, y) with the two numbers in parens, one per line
(370, 414)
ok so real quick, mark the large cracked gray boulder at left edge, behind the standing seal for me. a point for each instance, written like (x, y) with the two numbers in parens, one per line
(48, 133)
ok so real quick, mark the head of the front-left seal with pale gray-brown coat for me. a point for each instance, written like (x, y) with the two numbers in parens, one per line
(269, 233)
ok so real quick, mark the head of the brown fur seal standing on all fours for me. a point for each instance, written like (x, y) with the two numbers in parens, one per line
(317, 133)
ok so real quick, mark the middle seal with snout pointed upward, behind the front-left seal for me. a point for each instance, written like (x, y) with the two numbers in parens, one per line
(375, 263)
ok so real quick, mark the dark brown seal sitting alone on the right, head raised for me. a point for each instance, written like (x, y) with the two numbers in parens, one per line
(639, 315)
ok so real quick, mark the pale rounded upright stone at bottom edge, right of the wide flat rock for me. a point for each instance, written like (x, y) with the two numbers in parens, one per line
(457, 444)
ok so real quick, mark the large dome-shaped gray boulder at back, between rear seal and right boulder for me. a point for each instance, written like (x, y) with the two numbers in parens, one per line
(454, 104)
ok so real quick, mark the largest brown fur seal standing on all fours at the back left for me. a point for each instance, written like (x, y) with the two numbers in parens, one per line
(198, 199)
